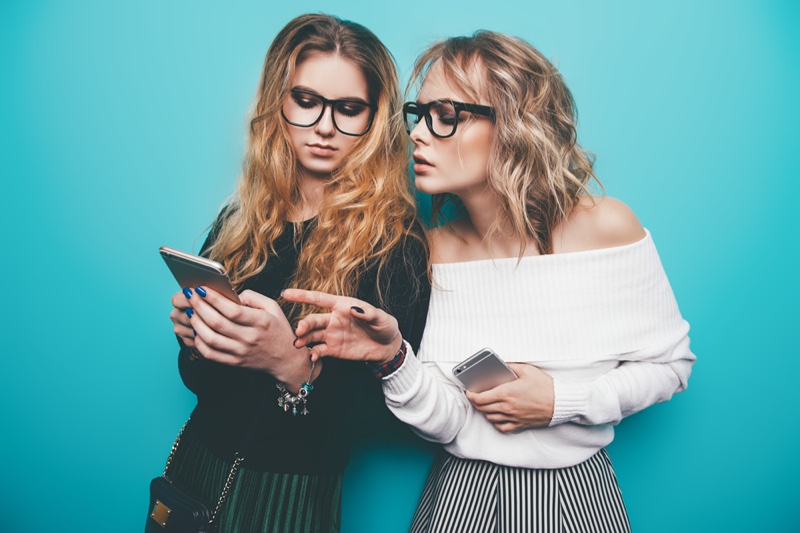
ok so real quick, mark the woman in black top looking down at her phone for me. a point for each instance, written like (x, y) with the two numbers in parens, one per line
(324, 203)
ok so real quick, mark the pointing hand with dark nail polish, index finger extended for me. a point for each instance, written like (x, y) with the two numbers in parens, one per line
(353, 329)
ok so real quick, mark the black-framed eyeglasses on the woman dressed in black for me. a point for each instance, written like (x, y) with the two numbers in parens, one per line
(350, 117)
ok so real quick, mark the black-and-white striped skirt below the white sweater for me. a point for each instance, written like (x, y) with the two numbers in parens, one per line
(463, 495)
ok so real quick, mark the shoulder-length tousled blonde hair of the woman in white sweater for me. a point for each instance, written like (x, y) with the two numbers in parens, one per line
(536, 166)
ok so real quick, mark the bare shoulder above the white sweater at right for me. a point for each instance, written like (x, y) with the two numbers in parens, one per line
(595, 223)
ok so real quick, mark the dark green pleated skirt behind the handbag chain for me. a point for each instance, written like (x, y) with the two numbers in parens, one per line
(259, 501)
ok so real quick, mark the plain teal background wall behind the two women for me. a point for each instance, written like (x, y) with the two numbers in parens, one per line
(122, 128)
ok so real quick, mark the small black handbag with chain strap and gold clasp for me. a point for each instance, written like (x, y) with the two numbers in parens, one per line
(174, 509)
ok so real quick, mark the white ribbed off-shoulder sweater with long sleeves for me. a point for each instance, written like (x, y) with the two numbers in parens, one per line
(603, 323)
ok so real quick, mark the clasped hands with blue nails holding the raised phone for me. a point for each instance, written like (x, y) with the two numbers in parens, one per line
(253, 335)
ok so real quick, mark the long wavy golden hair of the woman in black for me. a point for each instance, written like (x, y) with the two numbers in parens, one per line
(368, 206)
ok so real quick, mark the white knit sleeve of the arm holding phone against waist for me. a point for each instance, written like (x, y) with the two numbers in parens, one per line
(642, 379)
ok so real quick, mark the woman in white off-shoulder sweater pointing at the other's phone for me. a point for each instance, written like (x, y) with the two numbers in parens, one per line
(566, 285)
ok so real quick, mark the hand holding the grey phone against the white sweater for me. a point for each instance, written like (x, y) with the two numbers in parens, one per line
(523, 403)
